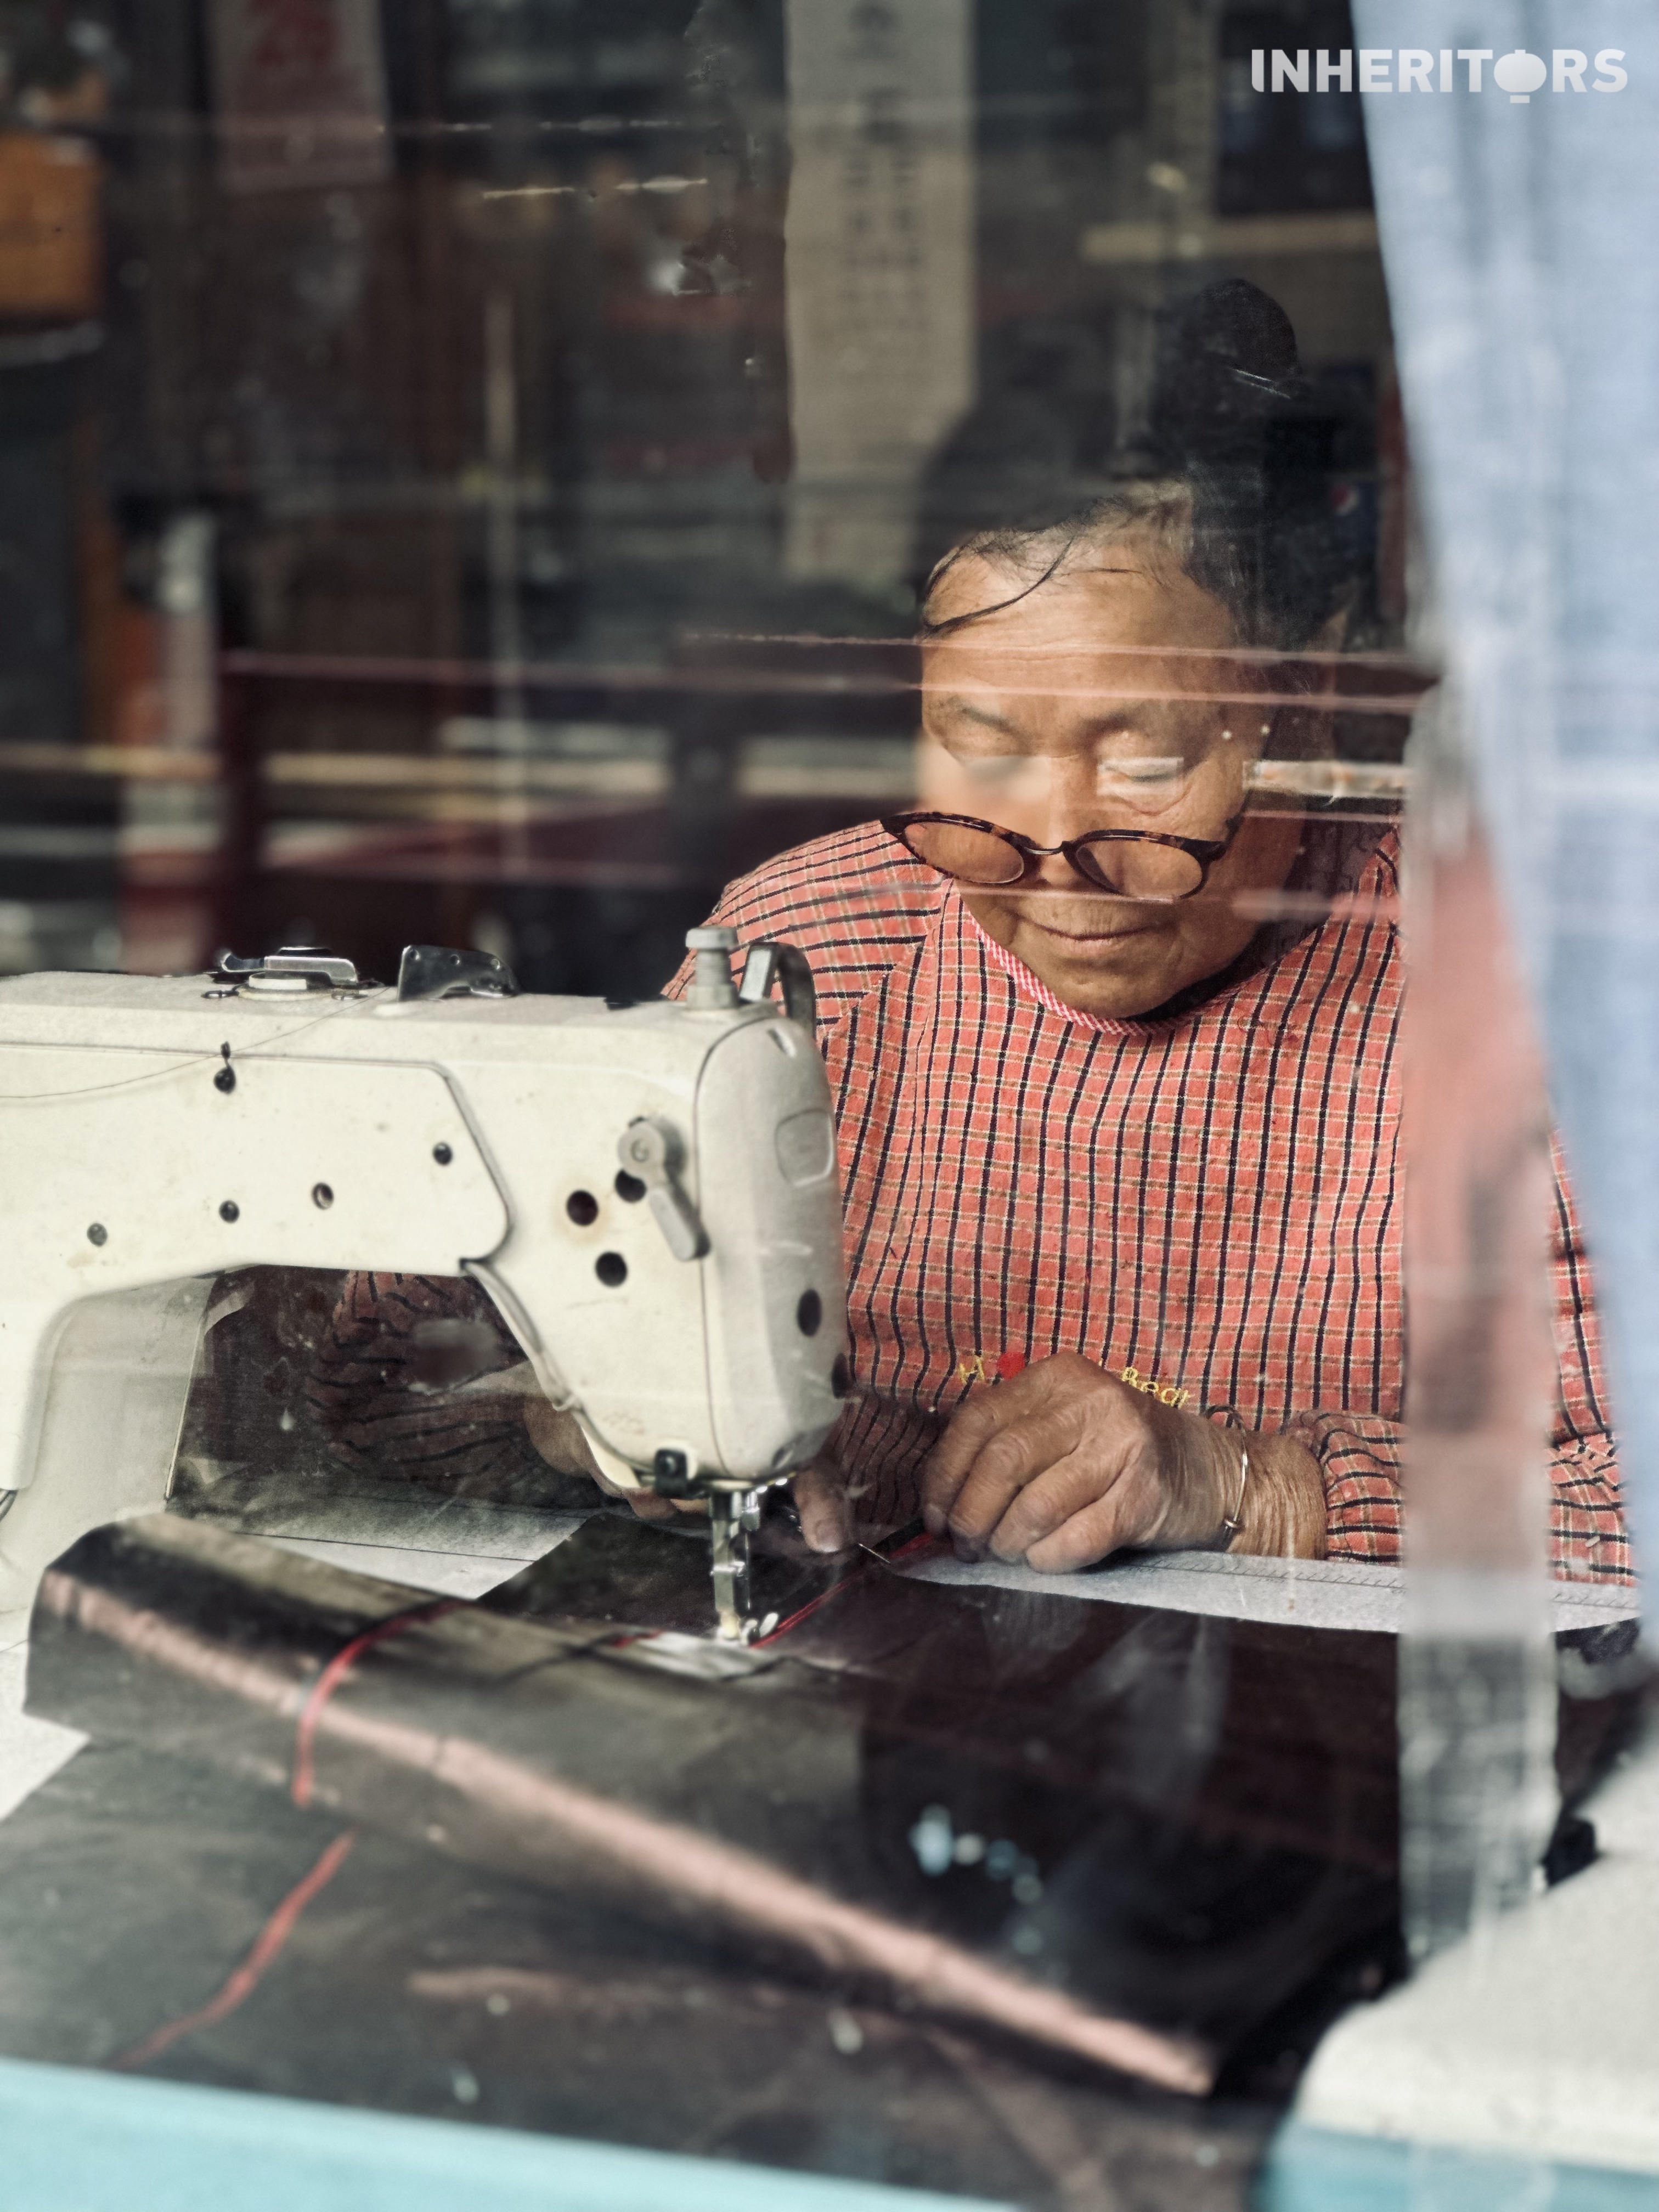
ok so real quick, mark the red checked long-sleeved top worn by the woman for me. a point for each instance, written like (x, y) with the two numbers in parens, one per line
(1209, 1200)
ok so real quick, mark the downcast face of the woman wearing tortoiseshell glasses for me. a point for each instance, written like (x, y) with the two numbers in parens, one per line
(1092, 707)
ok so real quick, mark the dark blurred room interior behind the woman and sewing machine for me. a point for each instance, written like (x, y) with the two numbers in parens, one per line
(461, 461)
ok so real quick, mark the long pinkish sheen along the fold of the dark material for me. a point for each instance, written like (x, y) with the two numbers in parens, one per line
(678, 1864)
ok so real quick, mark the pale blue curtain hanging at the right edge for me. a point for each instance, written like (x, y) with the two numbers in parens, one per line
(1519, 240)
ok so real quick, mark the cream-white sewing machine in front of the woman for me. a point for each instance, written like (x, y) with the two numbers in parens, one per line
(645, 1191)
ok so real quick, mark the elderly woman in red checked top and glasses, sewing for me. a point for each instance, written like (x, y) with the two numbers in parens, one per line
(1118, 1092)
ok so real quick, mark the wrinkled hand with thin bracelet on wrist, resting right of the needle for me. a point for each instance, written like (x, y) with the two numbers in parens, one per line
(1065, 1465)
